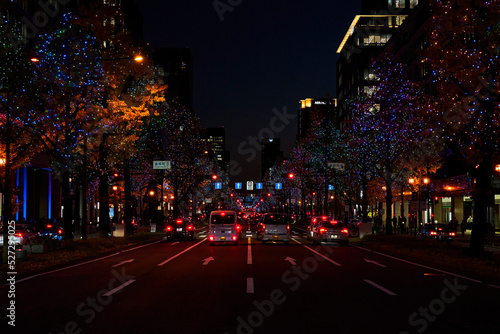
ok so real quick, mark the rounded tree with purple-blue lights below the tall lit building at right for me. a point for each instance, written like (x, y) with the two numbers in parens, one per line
(397, 132)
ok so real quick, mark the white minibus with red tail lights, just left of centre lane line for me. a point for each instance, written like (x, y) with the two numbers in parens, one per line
(223, 227)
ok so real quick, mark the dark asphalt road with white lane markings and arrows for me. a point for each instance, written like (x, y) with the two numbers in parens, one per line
(191, 287)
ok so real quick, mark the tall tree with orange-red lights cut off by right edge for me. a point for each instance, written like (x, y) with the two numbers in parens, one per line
(464, 55)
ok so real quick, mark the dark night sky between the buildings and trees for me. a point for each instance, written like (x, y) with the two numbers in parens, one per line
(264, 55)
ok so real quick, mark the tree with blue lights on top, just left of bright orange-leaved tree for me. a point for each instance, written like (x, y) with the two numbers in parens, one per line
(70, 72)
